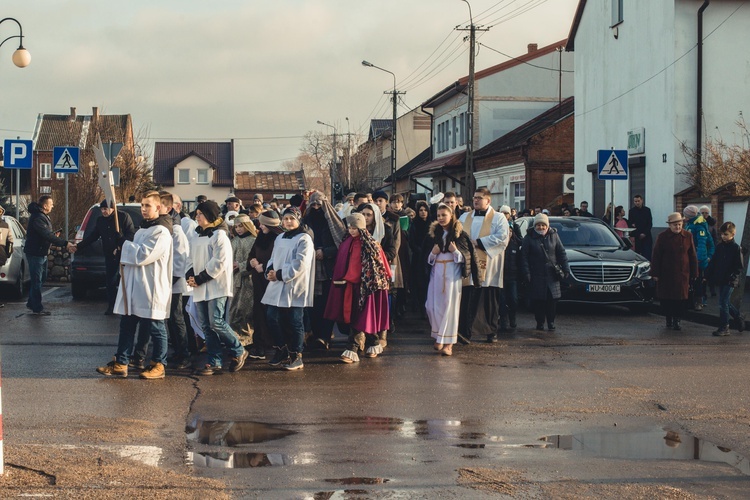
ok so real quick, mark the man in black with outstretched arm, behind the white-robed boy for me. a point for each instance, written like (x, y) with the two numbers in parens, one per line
(112, 240)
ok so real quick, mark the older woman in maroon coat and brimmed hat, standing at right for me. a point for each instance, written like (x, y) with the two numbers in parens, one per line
(674, 267)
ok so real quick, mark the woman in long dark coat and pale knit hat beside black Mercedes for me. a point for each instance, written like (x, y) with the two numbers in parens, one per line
(540, 252)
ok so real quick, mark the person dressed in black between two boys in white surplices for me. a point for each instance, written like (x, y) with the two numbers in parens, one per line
(270, 227)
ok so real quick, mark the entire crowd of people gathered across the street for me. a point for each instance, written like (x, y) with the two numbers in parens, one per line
(267, 280)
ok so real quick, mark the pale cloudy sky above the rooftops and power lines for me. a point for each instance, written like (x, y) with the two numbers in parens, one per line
(259, 72)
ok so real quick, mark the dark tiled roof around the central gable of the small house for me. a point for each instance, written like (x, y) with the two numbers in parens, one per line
(220, 155)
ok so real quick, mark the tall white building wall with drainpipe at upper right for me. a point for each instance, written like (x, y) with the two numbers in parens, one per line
(637, 75)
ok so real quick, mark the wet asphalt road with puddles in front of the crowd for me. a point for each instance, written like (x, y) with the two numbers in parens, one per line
(610, 405)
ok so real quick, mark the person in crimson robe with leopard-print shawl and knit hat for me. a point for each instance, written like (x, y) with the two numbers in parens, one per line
(359, 296)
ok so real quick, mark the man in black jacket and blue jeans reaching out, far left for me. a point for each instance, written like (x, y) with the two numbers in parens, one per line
(39, 237)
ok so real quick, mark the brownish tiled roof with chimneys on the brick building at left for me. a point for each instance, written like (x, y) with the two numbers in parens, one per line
(60, 130)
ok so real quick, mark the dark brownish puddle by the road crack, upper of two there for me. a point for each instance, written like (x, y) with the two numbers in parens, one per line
(228, 433)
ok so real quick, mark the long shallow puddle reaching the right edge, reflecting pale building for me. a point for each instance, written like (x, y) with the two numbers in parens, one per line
(662, 444)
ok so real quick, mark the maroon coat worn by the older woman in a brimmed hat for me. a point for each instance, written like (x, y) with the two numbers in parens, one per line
(675, 264)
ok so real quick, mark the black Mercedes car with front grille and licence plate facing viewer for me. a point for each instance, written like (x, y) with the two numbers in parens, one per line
(604, 269)
